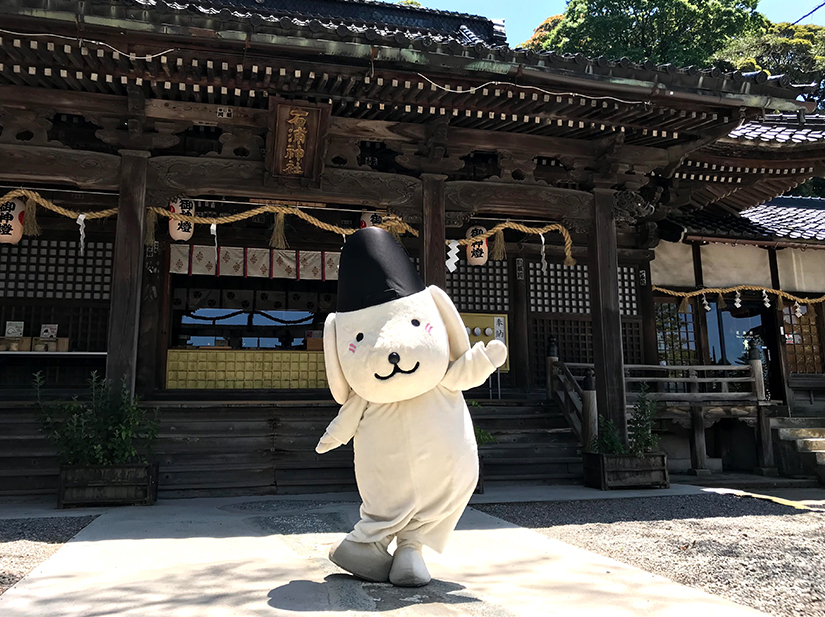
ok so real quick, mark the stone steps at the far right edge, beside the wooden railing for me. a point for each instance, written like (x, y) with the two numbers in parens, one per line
(799, 446)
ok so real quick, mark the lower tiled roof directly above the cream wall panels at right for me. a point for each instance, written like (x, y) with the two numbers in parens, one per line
(783, 218)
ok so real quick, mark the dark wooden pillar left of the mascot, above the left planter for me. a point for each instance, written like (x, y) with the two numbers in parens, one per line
(127, 269)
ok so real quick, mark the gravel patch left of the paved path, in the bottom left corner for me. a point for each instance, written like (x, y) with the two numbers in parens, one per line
(26, 543)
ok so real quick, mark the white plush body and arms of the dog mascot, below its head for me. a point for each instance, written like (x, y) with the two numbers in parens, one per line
(416, 461)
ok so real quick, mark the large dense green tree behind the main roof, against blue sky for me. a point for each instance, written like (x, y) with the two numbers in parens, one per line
(681, 32)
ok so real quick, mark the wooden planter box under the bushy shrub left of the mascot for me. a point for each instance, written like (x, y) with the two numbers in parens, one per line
(107, 486)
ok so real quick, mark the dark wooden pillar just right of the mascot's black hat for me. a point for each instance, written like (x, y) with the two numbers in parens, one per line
(433, 255)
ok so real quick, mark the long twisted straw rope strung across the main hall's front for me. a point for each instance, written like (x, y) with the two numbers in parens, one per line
(391, 223)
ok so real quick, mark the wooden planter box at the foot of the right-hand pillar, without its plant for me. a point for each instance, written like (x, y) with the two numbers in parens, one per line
(609, 471)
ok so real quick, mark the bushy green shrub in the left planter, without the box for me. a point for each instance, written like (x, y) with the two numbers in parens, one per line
(108, 429)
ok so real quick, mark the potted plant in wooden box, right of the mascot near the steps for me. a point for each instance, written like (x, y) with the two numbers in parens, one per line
(609, 464)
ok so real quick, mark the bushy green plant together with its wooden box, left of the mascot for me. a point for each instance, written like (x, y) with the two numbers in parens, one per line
(103, 445)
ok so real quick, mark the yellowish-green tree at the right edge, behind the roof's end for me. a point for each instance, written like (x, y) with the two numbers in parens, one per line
(783, 49)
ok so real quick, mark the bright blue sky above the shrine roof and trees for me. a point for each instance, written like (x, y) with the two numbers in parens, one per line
(522, 16)
